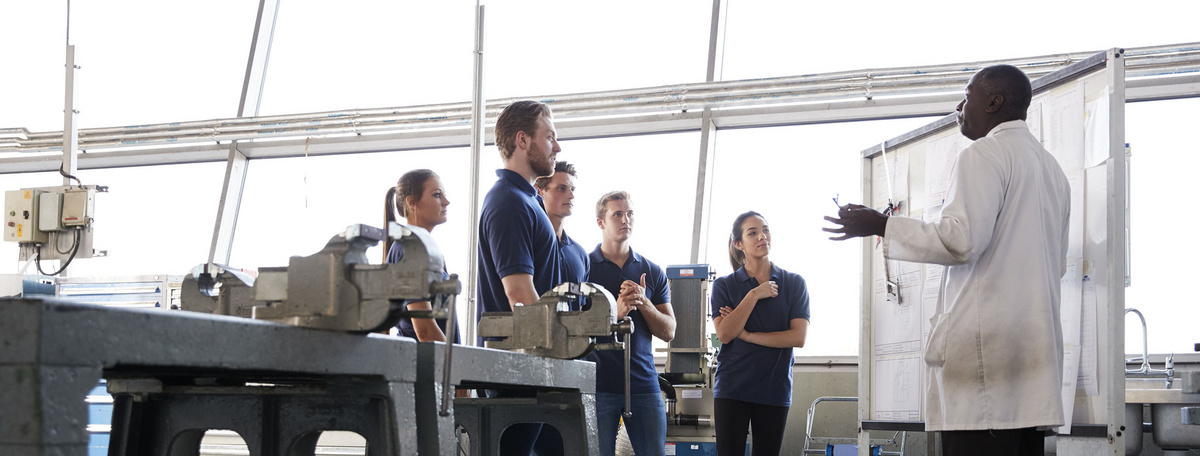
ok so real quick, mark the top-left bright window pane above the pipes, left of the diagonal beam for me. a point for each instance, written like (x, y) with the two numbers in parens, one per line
(141, 62)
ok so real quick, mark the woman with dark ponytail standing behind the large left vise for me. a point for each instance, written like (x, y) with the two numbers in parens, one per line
(419, 199)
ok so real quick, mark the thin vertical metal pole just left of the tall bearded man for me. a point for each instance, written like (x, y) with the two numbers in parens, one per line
(478, 125)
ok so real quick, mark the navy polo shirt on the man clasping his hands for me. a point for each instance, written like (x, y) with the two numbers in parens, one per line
(611, 364)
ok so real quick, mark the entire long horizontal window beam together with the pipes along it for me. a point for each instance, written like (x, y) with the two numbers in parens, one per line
(1165, 73)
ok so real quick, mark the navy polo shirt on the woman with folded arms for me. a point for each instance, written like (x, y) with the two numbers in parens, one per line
(752, 373)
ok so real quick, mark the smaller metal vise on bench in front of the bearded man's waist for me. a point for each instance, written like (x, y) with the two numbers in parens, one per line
(542, 331)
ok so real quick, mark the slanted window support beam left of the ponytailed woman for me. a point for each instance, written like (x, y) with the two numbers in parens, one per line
(237, 166)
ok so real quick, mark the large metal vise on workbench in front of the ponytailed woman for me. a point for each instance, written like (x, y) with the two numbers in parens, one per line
(337, 289)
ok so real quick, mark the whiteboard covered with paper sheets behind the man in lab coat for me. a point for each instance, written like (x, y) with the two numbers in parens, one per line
(1078, 115)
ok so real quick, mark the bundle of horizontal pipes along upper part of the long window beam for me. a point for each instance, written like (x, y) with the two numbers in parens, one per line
(863, 85)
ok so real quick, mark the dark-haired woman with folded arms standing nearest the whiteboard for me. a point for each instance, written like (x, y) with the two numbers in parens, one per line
(761, 314)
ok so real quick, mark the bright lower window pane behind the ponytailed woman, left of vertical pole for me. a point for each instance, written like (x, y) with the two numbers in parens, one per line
(293, 207)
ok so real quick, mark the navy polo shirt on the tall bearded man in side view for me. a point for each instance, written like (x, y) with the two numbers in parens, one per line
(515, 237)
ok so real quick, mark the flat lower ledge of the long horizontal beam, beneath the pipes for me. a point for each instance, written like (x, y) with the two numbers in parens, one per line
(571, 130)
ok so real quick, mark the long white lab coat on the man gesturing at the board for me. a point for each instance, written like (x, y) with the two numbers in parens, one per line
(995, 349)
